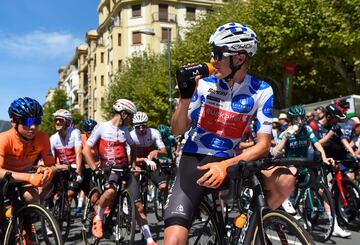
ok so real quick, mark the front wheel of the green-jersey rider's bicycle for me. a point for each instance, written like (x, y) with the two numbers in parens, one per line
(318, 223)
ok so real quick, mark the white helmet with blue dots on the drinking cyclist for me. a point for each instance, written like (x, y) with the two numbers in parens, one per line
(234, 37)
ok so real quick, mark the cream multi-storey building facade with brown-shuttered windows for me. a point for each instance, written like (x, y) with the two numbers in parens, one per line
(126, 27)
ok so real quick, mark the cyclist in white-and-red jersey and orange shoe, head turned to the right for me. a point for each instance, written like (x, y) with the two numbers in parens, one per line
(112, 137)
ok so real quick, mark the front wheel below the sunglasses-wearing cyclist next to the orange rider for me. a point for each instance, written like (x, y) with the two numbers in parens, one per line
(62, 213)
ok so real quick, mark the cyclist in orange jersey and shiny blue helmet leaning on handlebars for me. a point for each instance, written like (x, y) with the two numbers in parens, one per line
(21, 145)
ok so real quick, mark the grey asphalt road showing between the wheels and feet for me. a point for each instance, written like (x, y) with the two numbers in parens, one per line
(157, 230)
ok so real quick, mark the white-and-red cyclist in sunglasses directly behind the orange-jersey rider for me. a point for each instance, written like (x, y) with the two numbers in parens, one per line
(66, 147)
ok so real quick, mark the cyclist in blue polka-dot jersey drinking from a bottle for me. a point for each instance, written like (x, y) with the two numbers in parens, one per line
(218, 109)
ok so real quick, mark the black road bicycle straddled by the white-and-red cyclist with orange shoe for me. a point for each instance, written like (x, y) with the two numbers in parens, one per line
(121, 217)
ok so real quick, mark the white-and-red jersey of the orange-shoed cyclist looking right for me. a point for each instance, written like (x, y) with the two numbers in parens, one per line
(112, 143)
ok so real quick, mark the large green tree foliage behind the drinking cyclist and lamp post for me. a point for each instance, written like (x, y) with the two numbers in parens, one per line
(321, 37)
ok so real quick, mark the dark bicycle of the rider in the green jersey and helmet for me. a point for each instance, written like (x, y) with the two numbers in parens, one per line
(311, 199)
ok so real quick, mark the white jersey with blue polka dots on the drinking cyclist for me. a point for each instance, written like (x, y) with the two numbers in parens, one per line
(220, 114)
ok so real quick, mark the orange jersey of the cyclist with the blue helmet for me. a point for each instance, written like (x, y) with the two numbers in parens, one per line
(18, 156)
